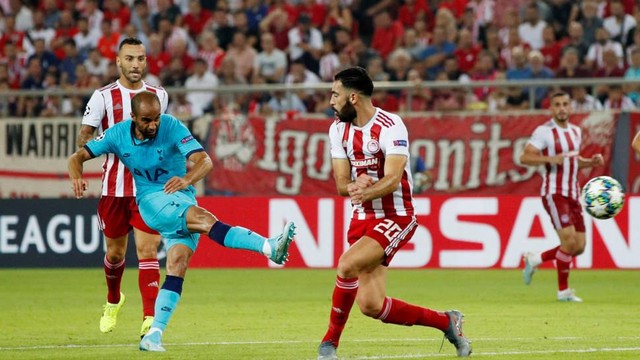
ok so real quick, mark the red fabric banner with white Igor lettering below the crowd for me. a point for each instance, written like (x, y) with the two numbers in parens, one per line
(474, 154)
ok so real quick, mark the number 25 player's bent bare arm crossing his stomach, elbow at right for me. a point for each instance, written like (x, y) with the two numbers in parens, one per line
(393, 170)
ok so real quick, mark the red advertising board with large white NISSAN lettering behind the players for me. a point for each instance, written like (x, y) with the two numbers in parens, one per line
(454, 232)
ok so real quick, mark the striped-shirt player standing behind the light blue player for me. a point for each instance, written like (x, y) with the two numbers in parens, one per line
(117, 209)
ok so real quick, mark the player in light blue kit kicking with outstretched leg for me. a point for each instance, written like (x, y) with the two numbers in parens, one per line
(155, 148)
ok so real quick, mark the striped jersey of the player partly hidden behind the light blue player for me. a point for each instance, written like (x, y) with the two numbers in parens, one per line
(108, 106)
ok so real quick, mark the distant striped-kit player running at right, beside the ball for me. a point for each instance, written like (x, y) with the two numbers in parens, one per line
(556, 145)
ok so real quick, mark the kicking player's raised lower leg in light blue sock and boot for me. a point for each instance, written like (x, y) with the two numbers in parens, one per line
(237, 237)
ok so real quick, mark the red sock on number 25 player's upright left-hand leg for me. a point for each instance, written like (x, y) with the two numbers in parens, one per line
(344, 295)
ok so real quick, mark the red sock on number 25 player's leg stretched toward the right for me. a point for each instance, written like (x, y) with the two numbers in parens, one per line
(395, 311)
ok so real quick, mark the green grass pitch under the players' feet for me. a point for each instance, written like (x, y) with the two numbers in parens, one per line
(282, 314)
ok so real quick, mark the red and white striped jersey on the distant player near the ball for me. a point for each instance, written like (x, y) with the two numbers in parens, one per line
(553, 140)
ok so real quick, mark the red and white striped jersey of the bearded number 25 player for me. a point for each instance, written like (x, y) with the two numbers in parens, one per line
(366, 148)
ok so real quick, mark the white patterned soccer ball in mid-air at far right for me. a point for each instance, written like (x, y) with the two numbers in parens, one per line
(603, 197)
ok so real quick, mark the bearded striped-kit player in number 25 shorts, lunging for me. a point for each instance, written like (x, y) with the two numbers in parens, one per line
(370, 152)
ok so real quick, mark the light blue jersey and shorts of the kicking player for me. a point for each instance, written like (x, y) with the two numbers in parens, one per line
(153, 162)
